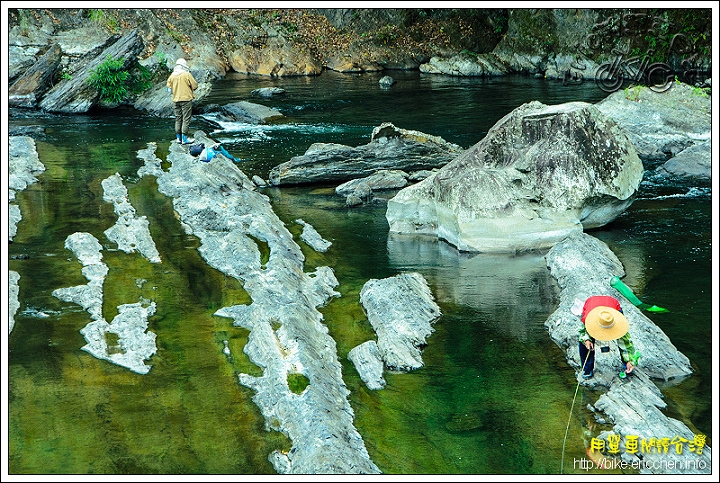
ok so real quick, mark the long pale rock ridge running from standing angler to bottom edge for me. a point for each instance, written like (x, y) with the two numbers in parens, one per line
(219, 204)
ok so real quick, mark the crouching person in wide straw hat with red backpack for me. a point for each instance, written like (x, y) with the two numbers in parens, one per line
(603, 320)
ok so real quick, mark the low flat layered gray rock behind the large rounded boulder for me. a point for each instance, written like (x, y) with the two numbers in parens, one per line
(389, 148)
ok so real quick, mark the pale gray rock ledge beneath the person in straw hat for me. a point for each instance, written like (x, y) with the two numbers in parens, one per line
(583, 266)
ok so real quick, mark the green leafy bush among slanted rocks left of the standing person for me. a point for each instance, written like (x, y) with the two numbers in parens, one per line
(115, 83)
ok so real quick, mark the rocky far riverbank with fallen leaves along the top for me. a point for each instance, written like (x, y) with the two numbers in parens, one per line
(53, 51)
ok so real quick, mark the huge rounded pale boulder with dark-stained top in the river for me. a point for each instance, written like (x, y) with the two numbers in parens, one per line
(541, 173)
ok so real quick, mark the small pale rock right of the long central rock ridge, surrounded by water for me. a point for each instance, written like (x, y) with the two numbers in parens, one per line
(401, 310)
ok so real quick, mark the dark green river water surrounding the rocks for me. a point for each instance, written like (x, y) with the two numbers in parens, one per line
(495, 394)
